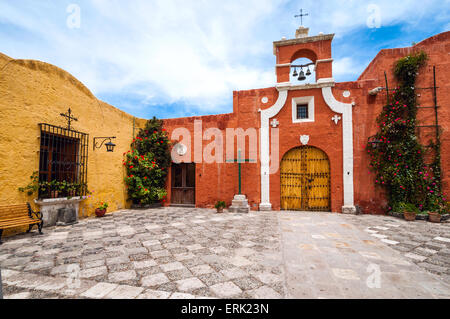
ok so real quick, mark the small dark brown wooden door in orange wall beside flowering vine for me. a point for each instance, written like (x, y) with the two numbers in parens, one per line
(183, 184)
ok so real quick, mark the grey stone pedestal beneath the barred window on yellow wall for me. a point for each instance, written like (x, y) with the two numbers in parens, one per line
(51, 209)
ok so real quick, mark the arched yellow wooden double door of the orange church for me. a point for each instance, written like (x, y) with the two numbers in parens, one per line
(305, 180)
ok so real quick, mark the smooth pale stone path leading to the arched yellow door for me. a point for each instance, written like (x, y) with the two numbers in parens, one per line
(351, 263)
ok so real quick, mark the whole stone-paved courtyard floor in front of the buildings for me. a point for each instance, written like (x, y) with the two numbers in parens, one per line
(194, 253)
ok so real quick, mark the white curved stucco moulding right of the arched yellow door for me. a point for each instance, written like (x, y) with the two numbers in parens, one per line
(346, 110)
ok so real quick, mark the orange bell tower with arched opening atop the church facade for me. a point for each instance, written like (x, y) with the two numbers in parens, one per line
(315, 48)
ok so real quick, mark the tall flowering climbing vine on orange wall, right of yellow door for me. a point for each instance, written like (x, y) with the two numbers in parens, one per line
(397, 156)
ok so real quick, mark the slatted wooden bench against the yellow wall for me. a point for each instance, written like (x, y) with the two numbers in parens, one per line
(12, 216)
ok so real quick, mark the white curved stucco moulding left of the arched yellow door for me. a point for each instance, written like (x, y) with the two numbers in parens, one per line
(264, 136)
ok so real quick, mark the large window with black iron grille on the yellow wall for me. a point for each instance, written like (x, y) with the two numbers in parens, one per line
(63, 161)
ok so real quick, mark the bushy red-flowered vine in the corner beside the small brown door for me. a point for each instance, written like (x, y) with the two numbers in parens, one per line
(147, 164)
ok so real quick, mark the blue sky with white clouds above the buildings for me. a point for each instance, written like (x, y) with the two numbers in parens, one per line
(182, 58)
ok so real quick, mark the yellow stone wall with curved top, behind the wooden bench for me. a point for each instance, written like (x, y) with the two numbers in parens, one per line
(33, 92)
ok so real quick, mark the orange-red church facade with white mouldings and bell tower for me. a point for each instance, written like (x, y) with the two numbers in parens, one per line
(344, 118)
